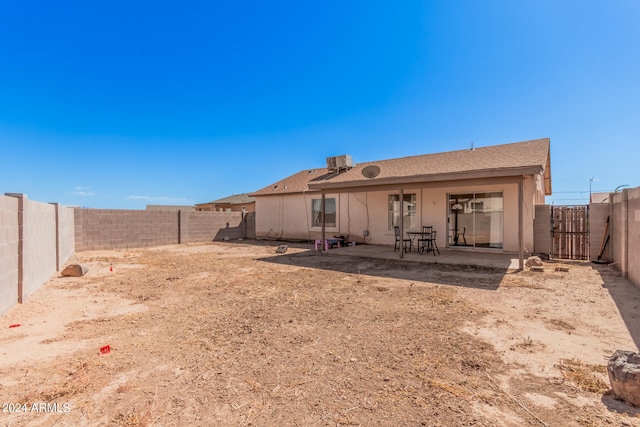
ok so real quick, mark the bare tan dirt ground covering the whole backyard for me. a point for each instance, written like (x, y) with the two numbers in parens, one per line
(235, 334)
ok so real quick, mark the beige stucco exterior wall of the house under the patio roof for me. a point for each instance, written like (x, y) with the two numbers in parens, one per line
(289, 216)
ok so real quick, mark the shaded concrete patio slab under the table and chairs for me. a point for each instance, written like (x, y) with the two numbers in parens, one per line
(500, 260)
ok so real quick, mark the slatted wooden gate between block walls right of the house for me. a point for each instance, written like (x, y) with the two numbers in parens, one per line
(570, 232)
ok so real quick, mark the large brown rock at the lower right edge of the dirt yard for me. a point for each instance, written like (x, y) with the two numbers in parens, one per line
(624, 376)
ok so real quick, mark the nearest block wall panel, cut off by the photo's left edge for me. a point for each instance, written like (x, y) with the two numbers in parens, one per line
(8, 252)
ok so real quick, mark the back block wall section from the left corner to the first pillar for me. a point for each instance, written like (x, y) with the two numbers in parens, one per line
(113, 229)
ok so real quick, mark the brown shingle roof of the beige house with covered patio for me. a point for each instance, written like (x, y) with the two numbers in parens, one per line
(519, 158)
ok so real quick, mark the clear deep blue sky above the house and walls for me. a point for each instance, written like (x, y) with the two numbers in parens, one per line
(121, 104)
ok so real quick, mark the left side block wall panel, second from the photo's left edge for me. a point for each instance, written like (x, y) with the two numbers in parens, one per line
(39, 245)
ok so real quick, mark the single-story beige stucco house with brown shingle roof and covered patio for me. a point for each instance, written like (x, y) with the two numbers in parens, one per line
(480, 198)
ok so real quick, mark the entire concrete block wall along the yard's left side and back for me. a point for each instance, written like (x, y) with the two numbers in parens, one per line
(37, 239)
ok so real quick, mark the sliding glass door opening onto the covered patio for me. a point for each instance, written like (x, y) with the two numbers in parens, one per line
(475, 220)
